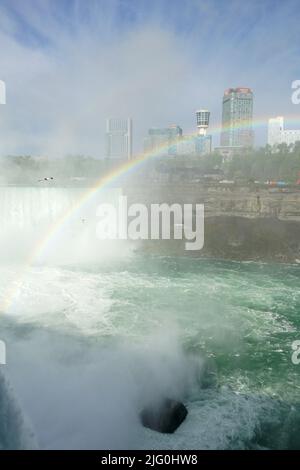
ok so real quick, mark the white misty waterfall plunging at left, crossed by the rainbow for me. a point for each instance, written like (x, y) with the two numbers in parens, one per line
(29, 215)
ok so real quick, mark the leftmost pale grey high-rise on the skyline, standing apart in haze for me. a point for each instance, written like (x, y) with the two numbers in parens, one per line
(119, 138)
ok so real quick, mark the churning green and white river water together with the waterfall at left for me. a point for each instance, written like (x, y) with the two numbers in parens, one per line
(93, 334)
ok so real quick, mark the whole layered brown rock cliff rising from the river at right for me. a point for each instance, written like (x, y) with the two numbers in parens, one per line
(241, 223)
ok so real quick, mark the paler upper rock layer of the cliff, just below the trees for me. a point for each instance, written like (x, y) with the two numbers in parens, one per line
(220, 201)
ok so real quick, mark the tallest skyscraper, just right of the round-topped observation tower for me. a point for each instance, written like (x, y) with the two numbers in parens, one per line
(237, 118)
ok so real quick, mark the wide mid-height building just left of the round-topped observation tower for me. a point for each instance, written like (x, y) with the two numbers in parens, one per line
(163, 140)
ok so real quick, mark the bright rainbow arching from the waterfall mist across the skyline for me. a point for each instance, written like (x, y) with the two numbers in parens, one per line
(104, 182)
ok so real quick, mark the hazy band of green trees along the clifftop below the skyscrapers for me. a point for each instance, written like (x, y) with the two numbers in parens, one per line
(261, 164)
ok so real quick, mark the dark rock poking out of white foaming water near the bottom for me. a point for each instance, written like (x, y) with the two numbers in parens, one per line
(165, 417)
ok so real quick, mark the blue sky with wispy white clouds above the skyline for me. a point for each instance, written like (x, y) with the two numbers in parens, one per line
(68, 64)
